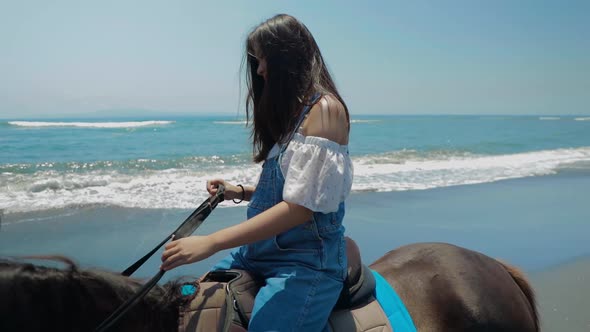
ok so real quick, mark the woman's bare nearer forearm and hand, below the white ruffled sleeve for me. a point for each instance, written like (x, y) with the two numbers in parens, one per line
(279, 218)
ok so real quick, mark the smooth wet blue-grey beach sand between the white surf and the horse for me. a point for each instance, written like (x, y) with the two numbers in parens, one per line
(540, 224)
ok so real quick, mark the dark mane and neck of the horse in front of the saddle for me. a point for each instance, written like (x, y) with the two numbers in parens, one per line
(35, 298)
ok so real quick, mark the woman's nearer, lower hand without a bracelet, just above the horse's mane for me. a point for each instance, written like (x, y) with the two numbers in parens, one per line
(187, 250)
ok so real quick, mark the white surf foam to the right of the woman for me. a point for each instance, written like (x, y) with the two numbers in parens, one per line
(458, 170)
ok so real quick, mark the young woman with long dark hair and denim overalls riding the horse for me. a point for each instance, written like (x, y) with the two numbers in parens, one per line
(293, 237)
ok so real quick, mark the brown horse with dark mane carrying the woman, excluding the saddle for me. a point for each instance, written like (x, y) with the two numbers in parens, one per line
(445, 288)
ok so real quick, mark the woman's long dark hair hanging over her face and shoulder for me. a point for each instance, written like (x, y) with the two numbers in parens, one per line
(295, 72)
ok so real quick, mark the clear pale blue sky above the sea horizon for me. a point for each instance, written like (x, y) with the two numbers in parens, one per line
(72, 58)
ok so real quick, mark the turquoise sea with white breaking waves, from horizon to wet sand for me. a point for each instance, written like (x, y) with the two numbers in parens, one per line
(164, 162)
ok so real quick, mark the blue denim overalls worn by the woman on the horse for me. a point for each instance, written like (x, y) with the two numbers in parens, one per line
(304, 267)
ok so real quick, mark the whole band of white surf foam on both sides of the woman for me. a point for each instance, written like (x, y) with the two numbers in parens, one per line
(184, 188)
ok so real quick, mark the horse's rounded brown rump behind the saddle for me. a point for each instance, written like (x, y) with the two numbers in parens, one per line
(448, 288)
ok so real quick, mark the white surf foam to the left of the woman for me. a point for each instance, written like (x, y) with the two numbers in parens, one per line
(172, 188)
